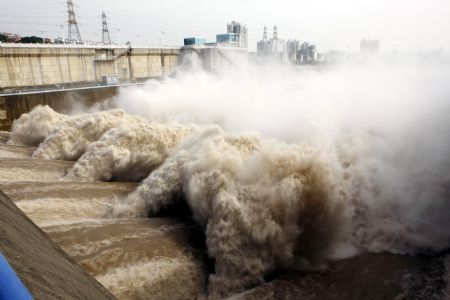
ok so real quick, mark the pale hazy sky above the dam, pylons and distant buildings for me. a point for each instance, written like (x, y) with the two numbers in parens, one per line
(399, 24)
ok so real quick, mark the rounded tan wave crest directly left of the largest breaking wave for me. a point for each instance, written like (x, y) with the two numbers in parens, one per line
(128, 152)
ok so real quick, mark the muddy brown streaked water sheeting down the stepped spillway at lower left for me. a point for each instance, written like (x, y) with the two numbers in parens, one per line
(132, 258)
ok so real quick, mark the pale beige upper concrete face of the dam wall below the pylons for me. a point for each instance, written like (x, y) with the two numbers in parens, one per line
(30, 66)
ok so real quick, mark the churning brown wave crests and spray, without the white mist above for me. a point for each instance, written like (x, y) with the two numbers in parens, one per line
(263, 204)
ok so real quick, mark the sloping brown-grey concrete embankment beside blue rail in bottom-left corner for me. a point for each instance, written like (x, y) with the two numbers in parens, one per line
(42, 266)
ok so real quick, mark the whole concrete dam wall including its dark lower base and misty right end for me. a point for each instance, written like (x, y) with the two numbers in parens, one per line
(61, 75)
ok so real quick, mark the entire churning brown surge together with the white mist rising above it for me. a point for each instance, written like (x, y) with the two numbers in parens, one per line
(361, 177)
